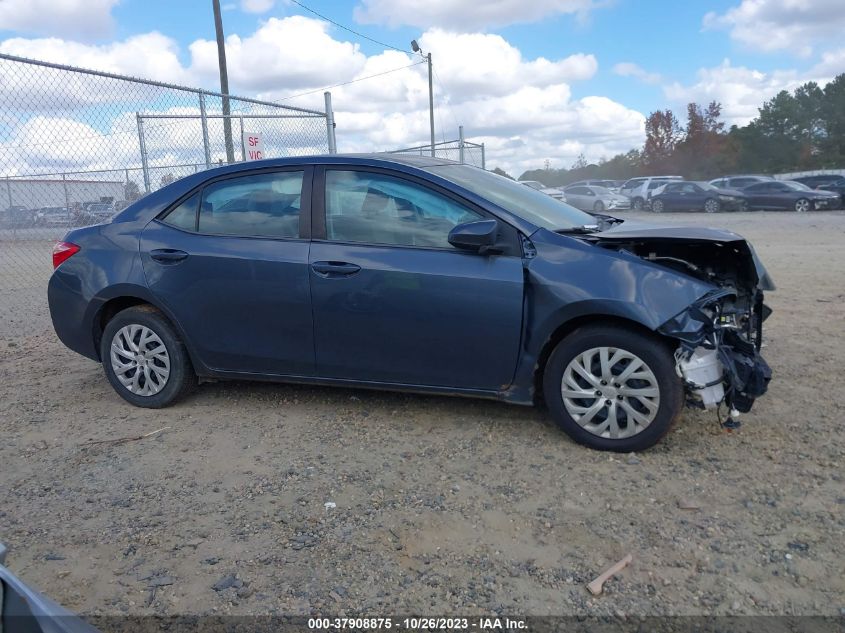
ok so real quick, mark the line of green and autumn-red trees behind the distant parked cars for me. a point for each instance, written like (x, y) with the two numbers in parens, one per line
(798, 131)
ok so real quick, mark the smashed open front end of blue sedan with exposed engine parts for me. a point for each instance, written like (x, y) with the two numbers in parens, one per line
(720, 335)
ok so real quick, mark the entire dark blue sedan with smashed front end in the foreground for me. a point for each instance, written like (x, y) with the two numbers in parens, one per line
(414, 274)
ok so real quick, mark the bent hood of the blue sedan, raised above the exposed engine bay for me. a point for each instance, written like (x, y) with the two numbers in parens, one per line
(644, 232)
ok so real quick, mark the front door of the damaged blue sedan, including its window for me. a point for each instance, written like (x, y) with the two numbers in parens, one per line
(393, 301)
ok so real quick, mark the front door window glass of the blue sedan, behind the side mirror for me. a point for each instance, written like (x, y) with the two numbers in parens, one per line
(375, 208)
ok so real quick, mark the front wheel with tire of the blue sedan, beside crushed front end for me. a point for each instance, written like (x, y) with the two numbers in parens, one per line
(612, 388)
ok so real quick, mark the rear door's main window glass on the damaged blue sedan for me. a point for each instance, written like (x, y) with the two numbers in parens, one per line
(258, 205)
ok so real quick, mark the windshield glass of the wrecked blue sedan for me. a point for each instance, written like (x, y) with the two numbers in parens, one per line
(531, 205)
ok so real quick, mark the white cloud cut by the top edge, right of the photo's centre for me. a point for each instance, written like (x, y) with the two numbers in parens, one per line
(465, 15)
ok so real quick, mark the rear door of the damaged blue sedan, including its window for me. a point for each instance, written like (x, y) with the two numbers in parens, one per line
(230, 261)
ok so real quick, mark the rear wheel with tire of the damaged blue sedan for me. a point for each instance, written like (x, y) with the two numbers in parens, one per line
(144, 359)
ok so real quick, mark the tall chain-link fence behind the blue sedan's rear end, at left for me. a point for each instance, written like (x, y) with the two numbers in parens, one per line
(77, 146)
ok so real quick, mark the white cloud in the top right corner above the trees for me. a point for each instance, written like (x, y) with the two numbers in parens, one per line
(772, 25)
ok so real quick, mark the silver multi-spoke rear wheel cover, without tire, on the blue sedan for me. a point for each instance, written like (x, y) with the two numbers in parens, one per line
(140, 360)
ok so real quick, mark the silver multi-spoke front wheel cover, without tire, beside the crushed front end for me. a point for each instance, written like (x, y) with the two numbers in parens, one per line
(610, 392)
